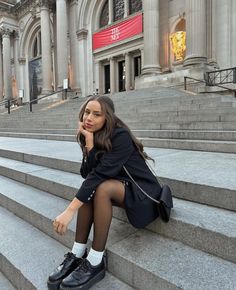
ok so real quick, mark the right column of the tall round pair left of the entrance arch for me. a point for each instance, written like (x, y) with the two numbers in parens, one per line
(62, 51)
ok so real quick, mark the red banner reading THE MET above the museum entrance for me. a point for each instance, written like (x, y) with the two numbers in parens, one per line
(118, 32)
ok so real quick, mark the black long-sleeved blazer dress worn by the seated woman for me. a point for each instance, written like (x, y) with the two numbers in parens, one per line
(140, 210)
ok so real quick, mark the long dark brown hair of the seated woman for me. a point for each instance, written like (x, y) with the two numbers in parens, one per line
(102, 138)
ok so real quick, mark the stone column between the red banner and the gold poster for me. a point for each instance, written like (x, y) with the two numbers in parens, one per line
(151, 37)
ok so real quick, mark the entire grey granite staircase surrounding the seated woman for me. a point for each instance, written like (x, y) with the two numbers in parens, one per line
(196, 250)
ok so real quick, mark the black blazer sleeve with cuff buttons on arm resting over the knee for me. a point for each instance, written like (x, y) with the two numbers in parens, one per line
(109, 165)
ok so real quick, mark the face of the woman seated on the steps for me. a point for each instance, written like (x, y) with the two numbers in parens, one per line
(93, 118)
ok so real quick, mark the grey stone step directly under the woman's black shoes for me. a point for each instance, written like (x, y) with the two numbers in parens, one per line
(28, 263)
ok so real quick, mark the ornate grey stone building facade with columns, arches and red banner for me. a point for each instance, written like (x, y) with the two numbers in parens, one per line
(107, 46)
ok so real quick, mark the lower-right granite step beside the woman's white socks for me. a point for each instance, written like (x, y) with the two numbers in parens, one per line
(149, 261)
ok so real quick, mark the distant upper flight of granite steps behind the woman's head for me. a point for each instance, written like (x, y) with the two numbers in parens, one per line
(160, 117)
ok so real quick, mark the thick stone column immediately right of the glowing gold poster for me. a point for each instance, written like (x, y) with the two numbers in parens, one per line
(195, 32)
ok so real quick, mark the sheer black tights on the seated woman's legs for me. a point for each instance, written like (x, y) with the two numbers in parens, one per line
(99, 212)
